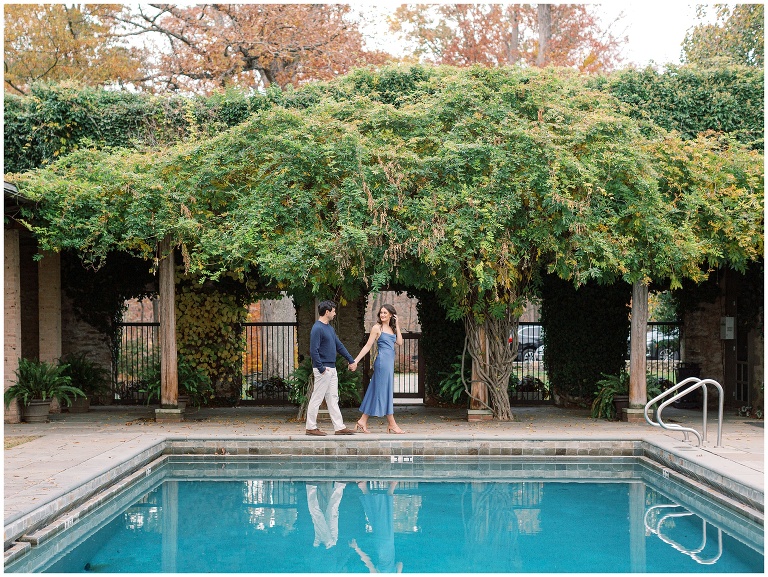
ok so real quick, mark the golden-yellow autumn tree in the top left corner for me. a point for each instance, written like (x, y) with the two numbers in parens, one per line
(54, 42)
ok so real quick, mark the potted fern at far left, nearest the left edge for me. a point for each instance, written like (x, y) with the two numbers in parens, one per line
(37, 382)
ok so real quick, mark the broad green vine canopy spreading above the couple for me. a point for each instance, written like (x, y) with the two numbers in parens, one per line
(464, 185)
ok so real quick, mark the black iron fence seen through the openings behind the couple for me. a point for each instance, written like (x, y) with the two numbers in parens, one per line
(271, 355)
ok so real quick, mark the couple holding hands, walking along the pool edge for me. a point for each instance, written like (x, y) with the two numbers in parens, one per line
(323, 346)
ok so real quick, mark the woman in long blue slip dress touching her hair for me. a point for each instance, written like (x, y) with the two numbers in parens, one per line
(378, 399)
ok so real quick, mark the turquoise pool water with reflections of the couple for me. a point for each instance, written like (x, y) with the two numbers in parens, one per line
(272, 516)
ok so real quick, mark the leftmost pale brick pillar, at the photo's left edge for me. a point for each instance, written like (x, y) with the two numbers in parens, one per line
(12, 334)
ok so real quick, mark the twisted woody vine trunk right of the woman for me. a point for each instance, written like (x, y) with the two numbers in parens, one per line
(492, 360)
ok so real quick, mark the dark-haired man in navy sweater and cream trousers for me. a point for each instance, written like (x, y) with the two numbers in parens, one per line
(323, 346)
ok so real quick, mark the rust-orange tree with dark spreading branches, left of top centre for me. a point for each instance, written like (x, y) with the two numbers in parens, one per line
(212, 46)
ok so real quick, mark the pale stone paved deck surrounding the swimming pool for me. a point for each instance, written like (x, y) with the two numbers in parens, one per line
(74, 449)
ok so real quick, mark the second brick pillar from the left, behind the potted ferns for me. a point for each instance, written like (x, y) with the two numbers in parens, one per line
(49, 311)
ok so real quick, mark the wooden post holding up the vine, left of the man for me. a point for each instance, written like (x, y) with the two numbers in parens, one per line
(169, 379)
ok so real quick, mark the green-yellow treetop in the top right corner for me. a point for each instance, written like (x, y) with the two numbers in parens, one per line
(736, 37)
